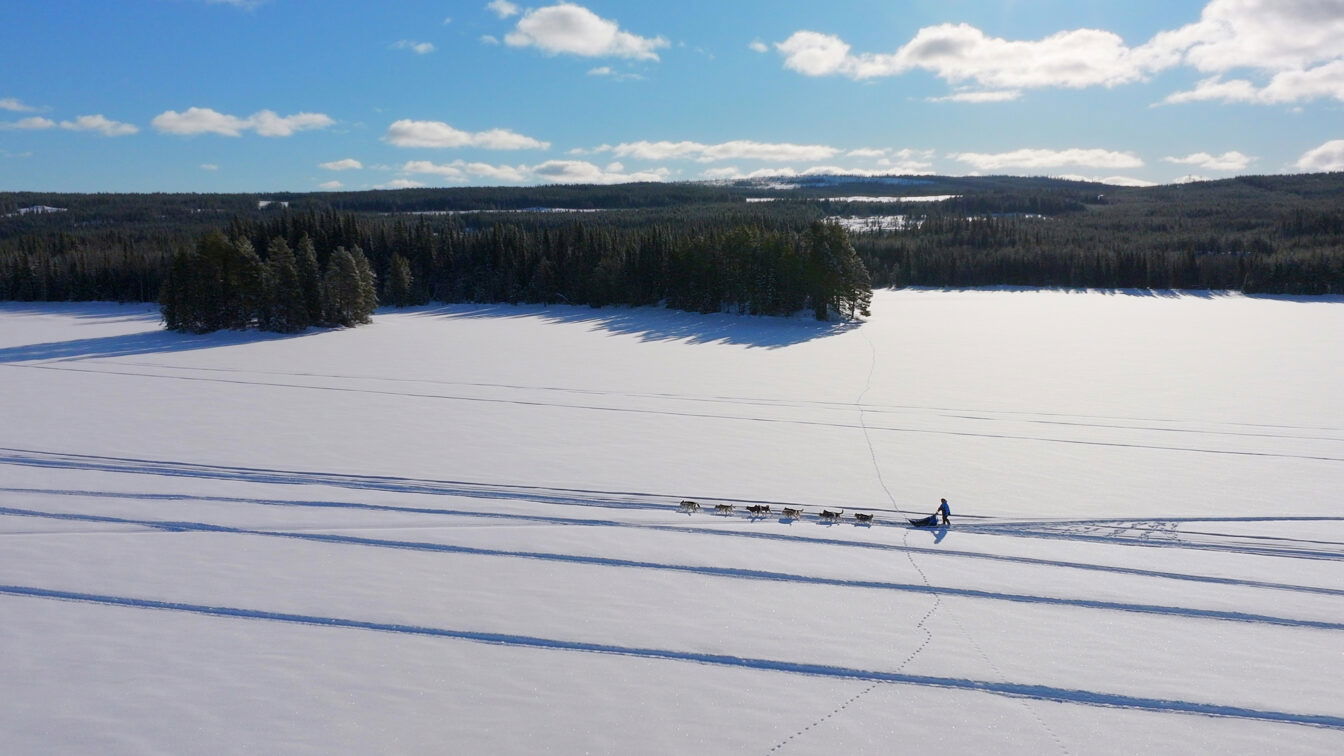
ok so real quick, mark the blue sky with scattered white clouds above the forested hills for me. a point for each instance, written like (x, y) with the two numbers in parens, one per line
(326, 95)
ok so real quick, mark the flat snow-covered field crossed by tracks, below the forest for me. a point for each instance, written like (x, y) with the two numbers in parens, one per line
(456, 531)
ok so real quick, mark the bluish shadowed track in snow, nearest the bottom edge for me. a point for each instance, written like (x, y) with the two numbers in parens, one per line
(1011, 689)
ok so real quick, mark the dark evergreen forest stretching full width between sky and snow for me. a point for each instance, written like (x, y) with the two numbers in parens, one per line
(288, 262)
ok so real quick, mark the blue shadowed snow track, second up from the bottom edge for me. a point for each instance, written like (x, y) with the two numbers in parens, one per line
(182, 527)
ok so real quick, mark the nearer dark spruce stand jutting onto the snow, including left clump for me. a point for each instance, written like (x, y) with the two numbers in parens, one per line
(224, 282)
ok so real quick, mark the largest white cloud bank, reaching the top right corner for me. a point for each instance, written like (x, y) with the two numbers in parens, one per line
(1299, 44)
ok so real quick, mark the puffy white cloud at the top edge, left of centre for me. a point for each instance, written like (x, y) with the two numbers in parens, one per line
(577, 32)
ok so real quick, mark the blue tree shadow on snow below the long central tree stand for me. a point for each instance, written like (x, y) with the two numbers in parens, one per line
(659, 325)
